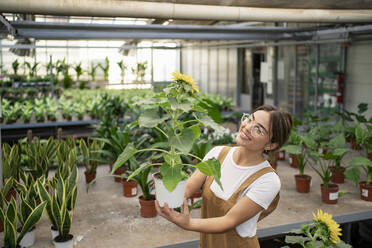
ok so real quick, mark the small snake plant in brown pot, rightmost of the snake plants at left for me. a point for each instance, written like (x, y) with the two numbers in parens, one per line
(90, 157)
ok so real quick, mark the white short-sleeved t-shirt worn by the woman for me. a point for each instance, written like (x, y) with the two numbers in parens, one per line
(262, 191)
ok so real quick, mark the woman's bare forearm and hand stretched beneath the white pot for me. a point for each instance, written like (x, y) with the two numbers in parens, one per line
(243, 210)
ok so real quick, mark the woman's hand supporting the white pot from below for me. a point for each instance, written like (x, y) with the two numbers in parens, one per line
(180, 219)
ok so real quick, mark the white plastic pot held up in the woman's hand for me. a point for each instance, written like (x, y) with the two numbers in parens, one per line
(174, 198)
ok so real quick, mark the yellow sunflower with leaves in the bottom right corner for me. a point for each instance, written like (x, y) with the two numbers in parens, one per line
(323, 231)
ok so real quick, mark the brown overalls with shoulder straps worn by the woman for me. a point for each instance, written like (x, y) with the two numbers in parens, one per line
(215, 207)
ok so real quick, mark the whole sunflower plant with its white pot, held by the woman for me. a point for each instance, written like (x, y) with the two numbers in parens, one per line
(177, 99)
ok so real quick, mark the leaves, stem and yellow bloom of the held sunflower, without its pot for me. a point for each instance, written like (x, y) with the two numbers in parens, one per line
(178, 113)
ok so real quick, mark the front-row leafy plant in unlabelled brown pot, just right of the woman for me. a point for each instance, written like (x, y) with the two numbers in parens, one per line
(302, 154)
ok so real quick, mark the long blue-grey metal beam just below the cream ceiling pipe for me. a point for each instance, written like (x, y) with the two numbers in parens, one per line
(75, 31)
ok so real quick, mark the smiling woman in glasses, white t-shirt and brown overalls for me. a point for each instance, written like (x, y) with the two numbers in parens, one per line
(250, 187)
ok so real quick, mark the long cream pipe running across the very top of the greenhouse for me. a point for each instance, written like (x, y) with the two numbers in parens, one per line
(138, 9)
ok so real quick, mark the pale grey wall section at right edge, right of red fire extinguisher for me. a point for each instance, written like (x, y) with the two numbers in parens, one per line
(358, 84)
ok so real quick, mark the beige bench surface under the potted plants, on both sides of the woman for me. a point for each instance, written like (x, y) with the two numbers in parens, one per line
(105, 218)
